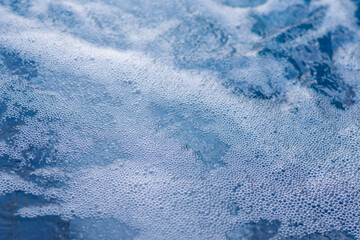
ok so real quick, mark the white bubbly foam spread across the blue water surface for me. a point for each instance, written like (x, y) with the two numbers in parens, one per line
(93, 101)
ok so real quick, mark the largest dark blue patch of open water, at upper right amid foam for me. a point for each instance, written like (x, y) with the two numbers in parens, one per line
(312, 64)
